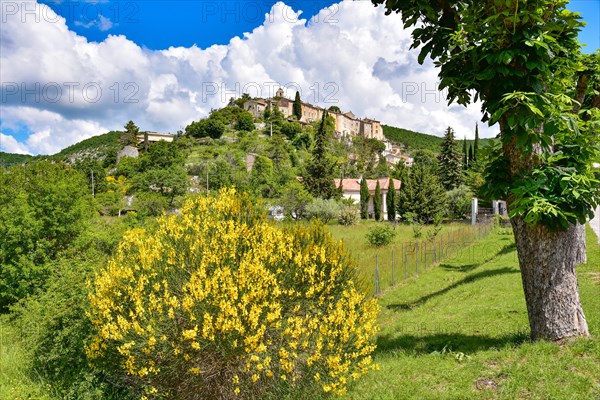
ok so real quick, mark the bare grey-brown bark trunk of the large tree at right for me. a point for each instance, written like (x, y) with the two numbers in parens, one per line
(547, 260)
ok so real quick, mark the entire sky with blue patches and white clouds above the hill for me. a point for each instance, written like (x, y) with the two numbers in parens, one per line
(71, 70)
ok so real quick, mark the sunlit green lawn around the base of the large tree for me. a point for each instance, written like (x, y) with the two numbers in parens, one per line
(460, 331)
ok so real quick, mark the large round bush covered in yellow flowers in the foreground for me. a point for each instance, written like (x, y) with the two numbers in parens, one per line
(219, 303)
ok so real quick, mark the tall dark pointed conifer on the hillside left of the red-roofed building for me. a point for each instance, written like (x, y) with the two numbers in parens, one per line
(319, 178)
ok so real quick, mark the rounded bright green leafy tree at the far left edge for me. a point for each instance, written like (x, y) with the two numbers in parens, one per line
(45, 207)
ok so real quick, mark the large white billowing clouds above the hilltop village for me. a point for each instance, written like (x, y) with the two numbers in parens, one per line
(65, 89)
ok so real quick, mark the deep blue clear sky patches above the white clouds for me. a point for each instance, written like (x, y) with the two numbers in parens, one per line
(159, 24)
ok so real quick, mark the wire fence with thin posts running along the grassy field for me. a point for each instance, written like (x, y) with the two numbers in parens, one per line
(403, 261)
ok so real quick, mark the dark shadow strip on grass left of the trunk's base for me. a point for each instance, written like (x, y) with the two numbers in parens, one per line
(430, 342)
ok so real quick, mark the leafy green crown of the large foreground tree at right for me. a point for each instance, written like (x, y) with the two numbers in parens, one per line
(528, 77)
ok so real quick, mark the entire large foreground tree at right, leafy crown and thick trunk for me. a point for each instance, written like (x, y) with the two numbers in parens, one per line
(528, 78)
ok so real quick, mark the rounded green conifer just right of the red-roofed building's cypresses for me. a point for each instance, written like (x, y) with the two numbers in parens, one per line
(422, 195)
